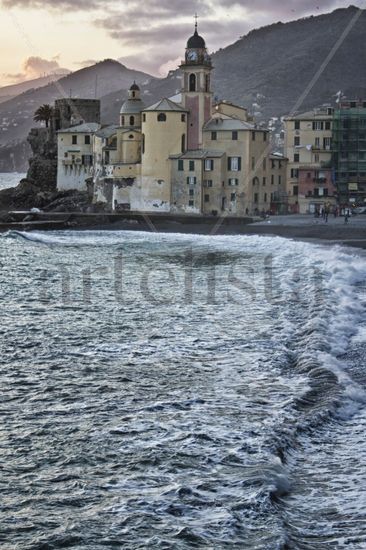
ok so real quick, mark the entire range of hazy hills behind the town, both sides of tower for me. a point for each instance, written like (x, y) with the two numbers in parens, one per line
(267, 71)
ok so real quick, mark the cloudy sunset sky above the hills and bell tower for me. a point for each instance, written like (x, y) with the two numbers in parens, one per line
(44, 36)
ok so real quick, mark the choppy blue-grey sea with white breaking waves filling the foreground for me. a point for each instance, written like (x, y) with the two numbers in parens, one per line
(166, 391)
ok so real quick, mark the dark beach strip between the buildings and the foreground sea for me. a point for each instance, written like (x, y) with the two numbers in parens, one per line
(300, 227)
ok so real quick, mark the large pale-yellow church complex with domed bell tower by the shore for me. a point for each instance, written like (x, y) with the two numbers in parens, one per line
(183, 154)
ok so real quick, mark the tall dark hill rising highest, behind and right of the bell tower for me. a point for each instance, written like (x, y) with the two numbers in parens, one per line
(268, 69)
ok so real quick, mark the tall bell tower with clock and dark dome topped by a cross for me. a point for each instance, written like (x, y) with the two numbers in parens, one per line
(196, 91)
